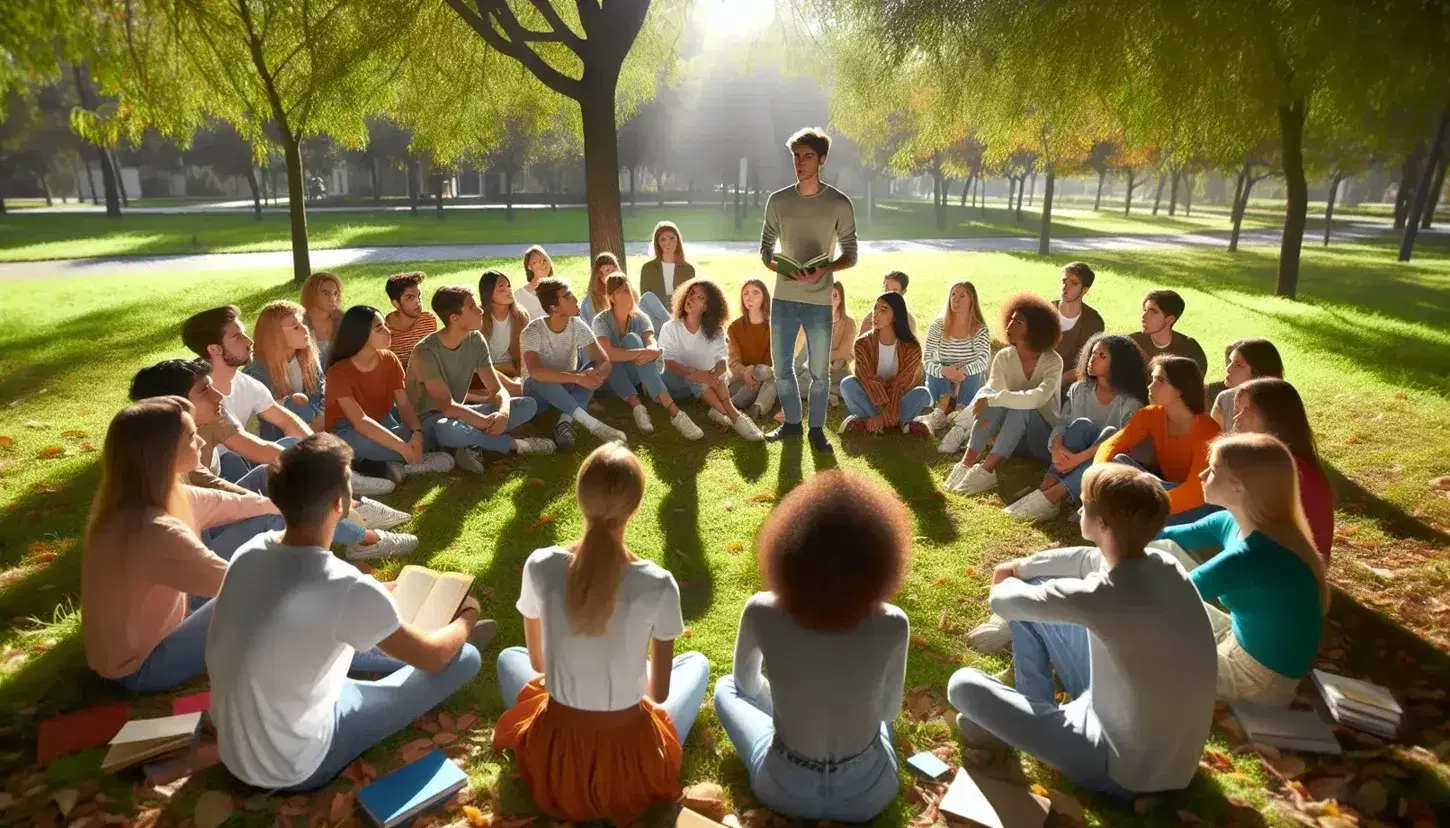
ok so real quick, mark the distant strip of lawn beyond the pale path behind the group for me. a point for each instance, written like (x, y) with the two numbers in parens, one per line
(27, 237)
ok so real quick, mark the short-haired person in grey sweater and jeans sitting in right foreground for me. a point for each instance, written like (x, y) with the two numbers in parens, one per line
(1129, 639)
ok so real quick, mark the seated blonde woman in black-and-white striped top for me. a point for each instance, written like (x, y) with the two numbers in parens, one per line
(959, 347)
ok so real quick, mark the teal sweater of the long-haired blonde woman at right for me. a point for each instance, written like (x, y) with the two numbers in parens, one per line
(1271, 594)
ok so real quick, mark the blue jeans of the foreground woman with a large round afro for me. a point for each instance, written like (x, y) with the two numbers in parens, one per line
(853, 791)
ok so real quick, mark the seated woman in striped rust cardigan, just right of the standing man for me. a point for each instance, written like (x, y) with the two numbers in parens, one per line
(887, 389)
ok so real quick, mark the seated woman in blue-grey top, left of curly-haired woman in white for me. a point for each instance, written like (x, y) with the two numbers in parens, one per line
(627, 337)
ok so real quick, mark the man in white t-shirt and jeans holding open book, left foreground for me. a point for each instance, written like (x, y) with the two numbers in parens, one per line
(292, 621)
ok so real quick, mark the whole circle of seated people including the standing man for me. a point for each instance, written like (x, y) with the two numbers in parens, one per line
(1209, 521)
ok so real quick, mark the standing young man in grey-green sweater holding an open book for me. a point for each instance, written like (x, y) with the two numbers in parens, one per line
(808, 220)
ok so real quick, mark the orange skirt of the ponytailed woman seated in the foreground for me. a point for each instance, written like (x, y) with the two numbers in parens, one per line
(589, 765)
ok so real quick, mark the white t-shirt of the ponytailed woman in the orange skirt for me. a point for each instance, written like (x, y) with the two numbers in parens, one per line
(600, 672)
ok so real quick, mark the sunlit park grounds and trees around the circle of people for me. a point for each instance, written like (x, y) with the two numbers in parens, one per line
(1281, 170)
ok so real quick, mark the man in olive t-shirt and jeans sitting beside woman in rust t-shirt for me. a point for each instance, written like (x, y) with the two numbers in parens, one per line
(439, 378)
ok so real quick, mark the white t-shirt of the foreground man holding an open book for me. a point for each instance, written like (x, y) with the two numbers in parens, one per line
(288, 624)
